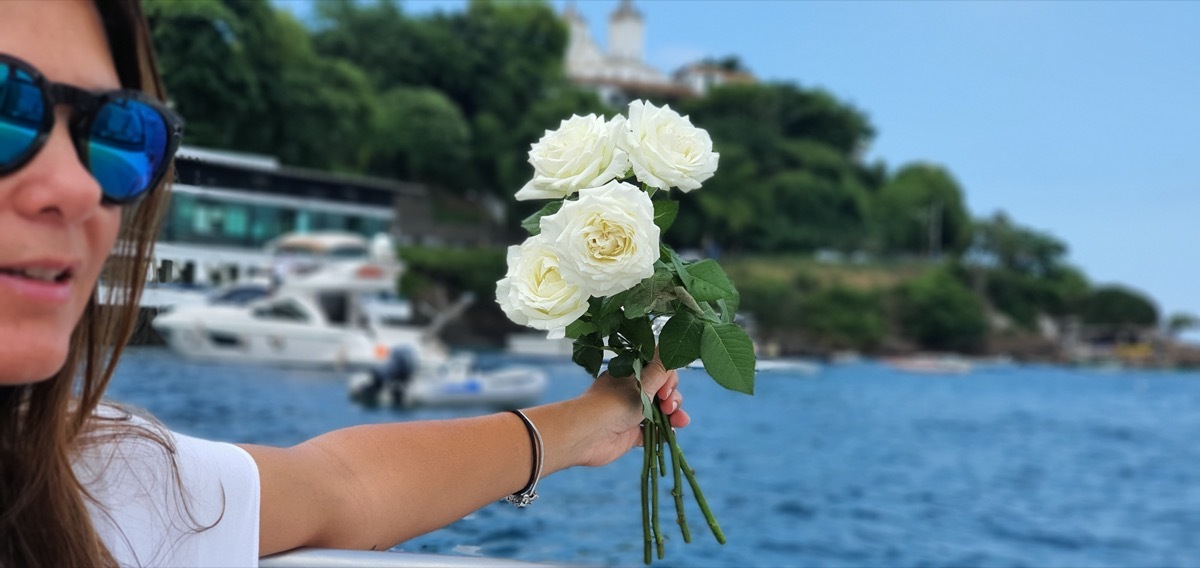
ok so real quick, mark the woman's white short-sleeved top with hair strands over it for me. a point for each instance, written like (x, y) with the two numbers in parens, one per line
(148, 518)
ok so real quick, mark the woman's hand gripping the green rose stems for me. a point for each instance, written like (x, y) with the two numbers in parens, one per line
(620, 411)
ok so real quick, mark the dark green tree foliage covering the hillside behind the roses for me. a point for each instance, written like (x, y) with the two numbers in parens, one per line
(454, 100)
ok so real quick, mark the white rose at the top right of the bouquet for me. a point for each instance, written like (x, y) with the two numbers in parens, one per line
(667, 151)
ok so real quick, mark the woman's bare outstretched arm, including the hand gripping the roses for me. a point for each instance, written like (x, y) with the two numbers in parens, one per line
(376, 486)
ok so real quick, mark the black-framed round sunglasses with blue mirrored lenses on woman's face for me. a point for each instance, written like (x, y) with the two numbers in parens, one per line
(125, 139)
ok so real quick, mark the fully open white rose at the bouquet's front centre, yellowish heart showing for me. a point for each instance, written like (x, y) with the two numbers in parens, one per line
(607, 240)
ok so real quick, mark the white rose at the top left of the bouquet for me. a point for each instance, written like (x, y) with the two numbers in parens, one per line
(583, 153)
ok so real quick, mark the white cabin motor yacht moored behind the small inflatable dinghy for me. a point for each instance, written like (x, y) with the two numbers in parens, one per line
(325, 308)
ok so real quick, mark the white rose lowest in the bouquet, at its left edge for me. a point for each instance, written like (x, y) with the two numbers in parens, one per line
(533, 292)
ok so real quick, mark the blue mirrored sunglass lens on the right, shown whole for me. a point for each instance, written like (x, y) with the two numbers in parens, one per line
(127, 147)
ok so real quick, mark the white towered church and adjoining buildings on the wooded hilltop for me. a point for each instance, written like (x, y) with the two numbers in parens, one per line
(622, 75)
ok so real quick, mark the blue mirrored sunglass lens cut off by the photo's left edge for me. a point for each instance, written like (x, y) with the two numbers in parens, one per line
(21, 113)
